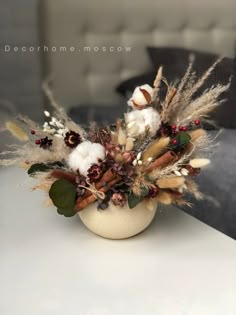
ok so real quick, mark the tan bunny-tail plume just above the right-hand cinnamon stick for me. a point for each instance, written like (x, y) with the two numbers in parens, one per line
(155, 149)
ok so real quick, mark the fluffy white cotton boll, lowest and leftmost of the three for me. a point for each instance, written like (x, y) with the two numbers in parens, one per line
(84, 155)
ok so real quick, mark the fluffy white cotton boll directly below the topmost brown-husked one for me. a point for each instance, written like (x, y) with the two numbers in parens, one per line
(138, 120)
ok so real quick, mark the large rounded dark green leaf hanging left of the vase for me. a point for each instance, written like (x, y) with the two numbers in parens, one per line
(63, 195)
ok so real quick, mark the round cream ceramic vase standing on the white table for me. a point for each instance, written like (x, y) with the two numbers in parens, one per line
(117, 222)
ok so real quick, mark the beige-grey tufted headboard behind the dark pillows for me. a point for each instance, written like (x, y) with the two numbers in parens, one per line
(83, 77)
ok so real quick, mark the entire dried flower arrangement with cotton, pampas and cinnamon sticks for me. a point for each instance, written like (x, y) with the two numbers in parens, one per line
(150, 155)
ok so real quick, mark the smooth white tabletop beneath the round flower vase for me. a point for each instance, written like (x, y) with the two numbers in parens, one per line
(53, 265)
